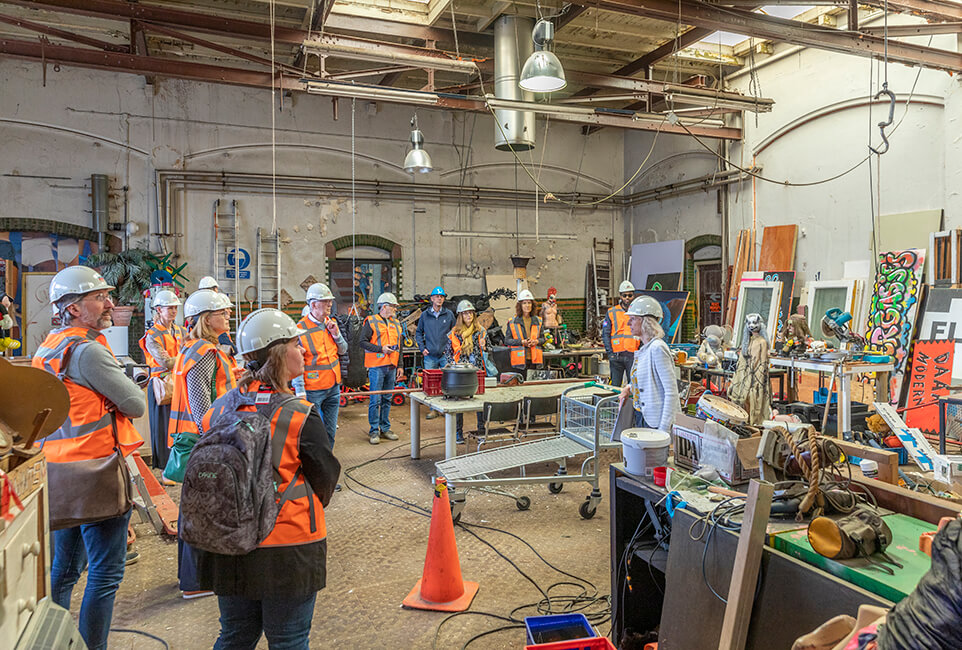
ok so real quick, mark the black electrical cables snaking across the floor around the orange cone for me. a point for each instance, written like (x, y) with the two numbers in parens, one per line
(549, 604)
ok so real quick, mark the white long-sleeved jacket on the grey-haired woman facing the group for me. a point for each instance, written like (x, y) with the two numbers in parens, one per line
(654, 389)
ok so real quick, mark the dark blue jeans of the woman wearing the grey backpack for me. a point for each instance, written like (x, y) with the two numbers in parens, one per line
(285, 621)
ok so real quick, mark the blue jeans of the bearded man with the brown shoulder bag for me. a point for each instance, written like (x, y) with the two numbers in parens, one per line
(103, 546)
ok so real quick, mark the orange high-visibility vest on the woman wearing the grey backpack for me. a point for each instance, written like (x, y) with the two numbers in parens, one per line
(301, 517)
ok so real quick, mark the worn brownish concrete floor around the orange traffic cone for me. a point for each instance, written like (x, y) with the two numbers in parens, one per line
(376, 554)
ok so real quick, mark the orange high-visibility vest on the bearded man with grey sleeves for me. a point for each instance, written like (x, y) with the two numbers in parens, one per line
(87, 433)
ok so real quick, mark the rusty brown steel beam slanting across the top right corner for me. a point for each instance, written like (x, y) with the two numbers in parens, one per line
(716, 18)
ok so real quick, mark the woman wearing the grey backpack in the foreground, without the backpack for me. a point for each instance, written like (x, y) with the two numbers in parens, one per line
(272, 589)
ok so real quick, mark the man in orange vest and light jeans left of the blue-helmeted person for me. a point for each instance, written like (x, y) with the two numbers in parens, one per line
(381, 339)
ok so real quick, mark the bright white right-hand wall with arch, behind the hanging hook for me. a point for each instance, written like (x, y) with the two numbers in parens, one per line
(813, 91)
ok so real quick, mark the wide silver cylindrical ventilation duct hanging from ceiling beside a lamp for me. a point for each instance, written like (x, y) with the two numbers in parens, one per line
(512, 46)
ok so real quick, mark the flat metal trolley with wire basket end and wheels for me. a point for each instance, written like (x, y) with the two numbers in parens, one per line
(587, 421)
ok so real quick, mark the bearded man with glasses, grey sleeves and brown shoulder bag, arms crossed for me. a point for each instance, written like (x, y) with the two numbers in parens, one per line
(103, 400)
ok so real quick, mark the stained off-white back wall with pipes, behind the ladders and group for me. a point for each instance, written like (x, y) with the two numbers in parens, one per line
(87, 121)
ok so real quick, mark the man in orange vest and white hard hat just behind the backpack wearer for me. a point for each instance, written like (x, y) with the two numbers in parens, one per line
(323, 343)
